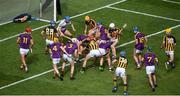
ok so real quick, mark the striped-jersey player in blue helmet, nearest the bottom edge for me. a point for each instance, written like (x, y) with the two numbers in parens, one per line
(120, 71)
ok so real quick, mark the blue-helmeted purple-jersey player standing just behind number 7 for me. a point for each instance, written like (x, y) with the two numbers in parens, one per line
(140, 42)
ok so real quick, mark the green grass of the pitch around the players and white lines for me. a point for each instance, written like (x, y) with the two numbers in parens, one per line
(93, 81)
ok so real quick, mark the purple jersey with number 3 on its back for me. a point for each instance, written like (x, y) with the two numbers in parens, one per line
(71, 47)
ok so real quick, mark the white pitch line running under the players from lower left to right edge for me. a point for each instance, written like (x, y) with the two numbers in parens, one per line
(124, 44)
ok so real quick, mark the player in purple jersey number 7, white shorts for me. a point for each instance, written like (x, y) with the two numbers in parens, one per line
(150, 60)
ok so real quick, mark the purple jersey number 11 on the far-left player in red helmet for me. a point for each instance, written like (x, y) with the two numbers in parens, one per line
(25, 40)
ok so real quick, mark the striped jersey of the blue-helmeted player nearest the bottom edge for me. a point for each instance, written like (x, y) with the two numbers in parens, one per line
(122, 62)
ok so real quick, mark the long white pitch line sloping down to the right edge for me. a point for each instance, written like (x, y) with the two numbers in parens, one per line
(141, 13)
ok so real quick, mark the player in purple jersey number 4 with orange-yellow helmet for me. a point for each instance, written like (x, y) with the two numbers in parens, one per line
(56, 50)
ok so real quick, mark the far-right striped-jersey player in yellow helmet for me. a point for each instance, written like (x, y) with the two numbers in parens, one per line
(169, 43)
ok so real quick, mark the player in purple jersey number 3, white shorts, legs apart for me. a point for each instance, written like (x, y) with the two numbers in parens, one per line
(71, 49)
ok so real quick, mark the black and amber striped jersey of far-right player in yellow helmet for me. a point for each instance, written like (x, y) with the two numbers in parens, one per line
(169, 42)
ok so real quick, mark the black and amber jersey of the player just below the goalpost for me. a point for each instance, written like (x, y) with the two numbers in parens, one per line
(50, 32)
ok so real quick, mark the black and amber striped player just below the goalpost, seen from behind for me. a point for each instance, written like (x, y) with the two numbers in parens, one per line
(48, 34)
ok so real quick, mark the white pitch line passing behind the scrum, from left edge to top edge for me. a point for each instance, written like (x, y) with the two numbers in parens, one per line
(75, 16)
